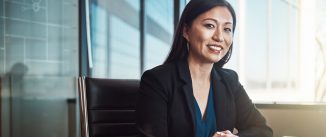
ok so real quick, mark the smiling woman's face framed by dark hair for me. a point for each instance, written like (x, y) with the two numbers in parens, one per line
(210, 35)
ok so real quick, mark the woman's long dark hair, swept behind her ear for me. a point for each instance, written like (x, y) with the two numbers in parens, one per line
(193, 9)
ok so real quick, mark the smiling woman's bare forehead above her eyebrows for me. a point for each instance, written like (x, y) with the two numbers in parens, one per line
(219, 13)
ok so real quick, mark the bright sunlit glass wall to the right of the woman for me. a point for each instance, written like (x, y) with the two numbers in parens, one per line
(280, 45)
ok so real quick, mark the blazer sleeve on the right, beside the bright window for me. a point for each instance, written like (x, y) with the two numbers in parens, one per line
(250, 122)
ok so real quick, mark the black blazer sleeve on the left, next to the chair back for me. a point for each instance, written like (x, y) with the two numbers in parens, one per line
(151, 111)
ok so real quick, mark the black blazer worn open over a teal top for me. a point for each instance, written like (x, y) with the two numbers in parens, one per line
(165, 104)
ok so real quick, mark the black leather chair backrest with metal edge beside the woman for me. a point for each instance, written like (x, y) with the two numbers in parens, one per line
(107, 107)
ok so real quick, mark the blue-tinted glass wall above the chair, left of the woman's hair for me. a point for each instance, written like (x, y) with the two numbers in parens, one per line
(126, 41)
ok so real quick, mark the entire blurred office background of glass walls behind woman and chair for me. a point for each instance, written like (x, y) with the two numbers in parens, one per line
(279, 53)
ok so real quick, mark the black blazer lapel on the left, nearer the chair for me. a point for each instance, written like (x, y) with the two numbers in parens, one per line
(184, 74)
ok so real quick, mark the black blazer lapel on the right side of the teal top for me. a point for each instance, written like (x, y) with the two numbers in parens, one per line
(219, 99)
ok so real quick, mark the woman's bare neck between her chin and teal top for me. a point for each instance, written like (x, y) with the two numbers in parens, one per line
(199, 71)
